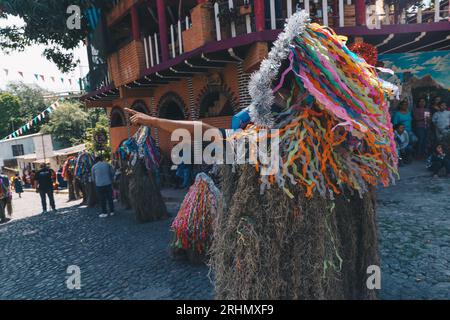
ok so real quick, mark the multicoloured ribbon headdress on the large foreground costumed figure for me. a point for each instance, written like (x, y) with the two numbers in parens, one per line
(335, 128)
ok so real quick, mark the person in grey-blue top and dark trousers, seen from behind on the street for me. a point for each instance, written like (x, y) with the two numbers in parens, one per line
(103, 175)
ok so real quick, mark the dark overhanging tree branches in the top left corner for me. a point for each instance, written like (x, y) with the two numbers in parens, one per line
(45, 24)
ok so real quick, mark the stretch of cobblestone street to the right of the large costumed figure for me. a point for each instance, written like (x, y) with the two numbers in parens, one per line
(414, 233)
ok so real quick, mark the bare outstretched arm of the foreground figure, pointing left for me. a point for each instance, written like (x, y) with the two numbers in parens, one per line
(139, 118)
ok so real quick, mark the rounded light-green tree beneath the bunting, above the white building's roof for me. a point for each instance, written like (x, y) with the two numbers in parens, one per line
(68, 124)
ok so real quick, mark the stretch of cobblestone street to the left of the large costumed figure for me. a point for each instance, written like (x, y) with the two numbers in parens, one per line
(118, 258)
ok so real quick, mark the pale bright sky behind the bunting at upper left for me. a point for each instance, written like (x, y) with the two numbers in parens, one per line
(31, 62)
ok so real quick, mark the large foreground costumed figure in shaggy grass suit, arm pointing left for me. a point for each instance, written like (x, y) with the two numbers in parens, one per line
(304, 225)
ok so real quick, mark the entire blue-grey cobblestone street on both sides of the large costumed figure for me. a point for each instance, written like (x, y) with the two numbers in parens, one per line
(120, 259)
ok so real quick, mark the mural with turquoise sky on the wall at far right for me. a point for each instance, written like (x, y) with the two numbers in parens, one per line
(421, 74)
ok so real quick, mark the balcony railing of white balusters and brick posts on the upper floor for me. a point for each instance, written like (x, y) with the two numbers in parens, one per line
(233, 18)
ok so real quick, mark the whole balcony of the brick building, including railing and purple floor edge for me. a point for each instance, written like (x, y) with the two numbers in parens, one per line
(206, 32)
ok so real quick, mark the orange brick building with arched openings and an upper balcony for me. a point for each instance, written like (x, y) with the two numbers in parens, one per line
(193, 59)
